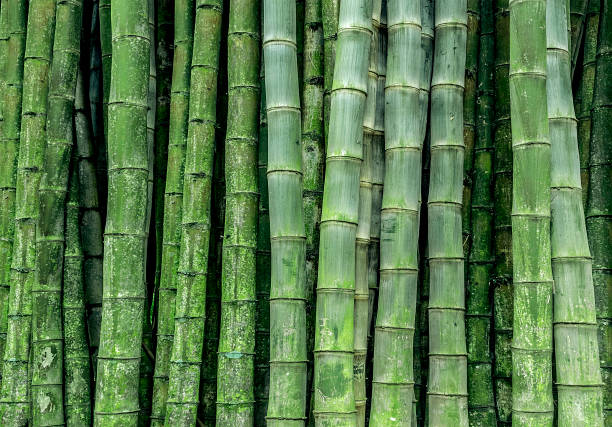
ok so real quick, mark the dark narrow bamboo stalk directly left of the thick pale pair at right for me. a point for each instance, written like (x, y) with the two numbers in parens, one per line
(502, 195)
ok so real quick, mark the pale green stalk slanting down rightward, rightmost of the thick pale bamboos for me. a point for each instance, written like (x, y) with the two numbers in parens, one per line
(578, 378)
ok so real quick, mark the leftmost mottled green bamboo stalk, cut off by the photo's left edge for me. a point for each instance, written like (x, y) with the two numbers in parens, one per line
(8, 162)
